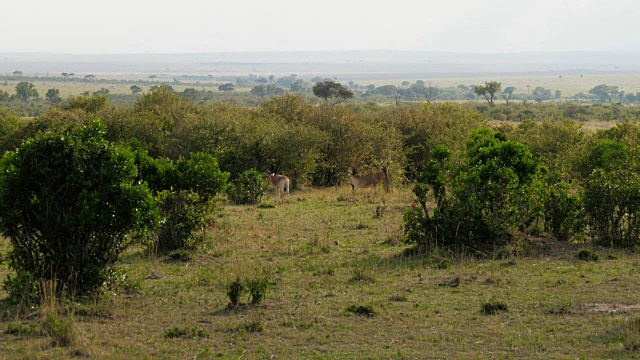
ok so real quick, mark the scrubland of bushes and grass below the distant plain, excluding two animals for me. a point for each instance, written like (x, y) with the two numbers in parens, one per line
(502, 239)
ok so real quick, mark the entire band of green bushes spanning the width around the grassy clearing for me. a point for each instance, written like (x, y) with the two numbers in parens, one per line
(78, 191)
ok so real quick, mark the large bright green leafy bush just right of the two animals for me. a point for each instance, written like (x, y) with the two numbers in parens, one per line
(497, 190)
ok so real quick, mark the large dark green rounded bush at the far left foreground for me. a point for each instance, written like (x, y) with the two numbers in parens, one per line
(67, 203)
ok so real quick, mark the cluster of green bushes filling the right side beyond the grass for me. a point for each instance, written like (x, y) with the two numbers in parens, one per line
(591, 193)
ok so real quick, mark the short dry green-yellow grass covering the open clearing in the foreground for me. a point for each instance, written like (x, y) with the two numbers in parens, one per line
(330, 264)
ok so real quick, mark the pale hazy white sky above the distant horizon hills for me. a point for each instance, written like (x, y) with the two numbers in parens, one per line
(189, 26)
